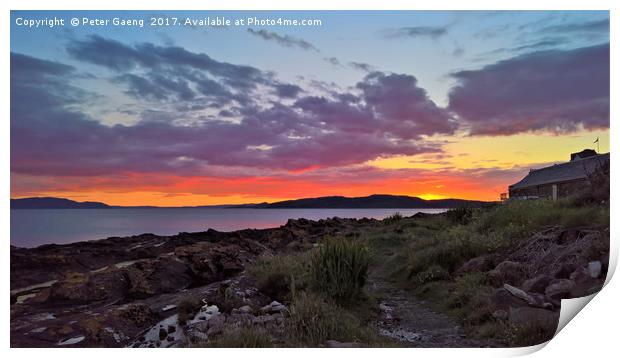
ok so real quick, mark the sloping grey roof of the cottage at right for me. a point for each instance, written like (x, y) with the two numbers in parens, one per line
(573, 170)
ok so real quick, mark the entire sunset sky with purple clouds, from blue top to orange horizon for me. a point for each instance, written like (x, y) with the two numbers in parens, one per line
(435, 104)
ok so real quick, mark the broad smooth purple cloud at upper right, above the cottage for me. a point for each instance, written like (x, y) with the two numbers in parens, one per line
(557, 91)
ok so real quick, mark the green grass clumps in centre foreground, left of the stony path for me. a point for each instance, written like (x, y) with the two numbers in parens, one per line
(317, 285)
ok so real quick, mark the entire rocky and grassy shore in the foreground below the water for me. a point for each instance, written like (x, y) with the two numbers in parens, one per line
(433, 270)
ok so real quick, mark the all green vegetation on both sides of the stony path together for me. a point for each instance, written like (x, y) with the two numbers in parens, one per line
(324, 288)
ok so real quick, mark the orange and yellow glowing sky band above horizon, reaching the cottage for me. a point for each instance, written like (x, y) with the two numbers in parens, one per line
(474, 168)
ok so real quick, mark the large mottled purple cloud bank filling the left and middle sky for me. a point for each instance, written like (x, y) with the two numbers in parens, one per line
(173, 132)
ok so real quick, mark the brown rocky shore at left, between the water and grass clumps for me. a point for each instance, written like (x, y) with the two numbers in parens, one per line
(125, 291)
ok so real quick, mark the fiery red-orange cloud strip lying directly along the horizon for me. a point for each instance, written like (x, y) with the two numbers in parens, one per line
(348, 181)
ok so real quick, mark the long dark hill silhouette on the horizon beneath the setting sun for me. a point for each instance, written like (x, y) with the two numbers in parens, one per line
(368, 202)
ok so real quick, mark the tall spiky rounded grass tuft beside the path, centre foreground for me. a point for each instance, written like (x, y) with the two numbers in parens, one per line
(339, 268)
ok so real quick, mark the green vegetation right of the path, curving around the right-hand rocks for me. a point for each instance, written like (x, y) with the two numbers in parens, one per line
(435, 257)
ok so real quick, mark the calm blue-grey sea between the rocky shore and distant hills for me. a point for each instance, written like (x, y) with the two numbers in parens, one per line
(31, 228)
